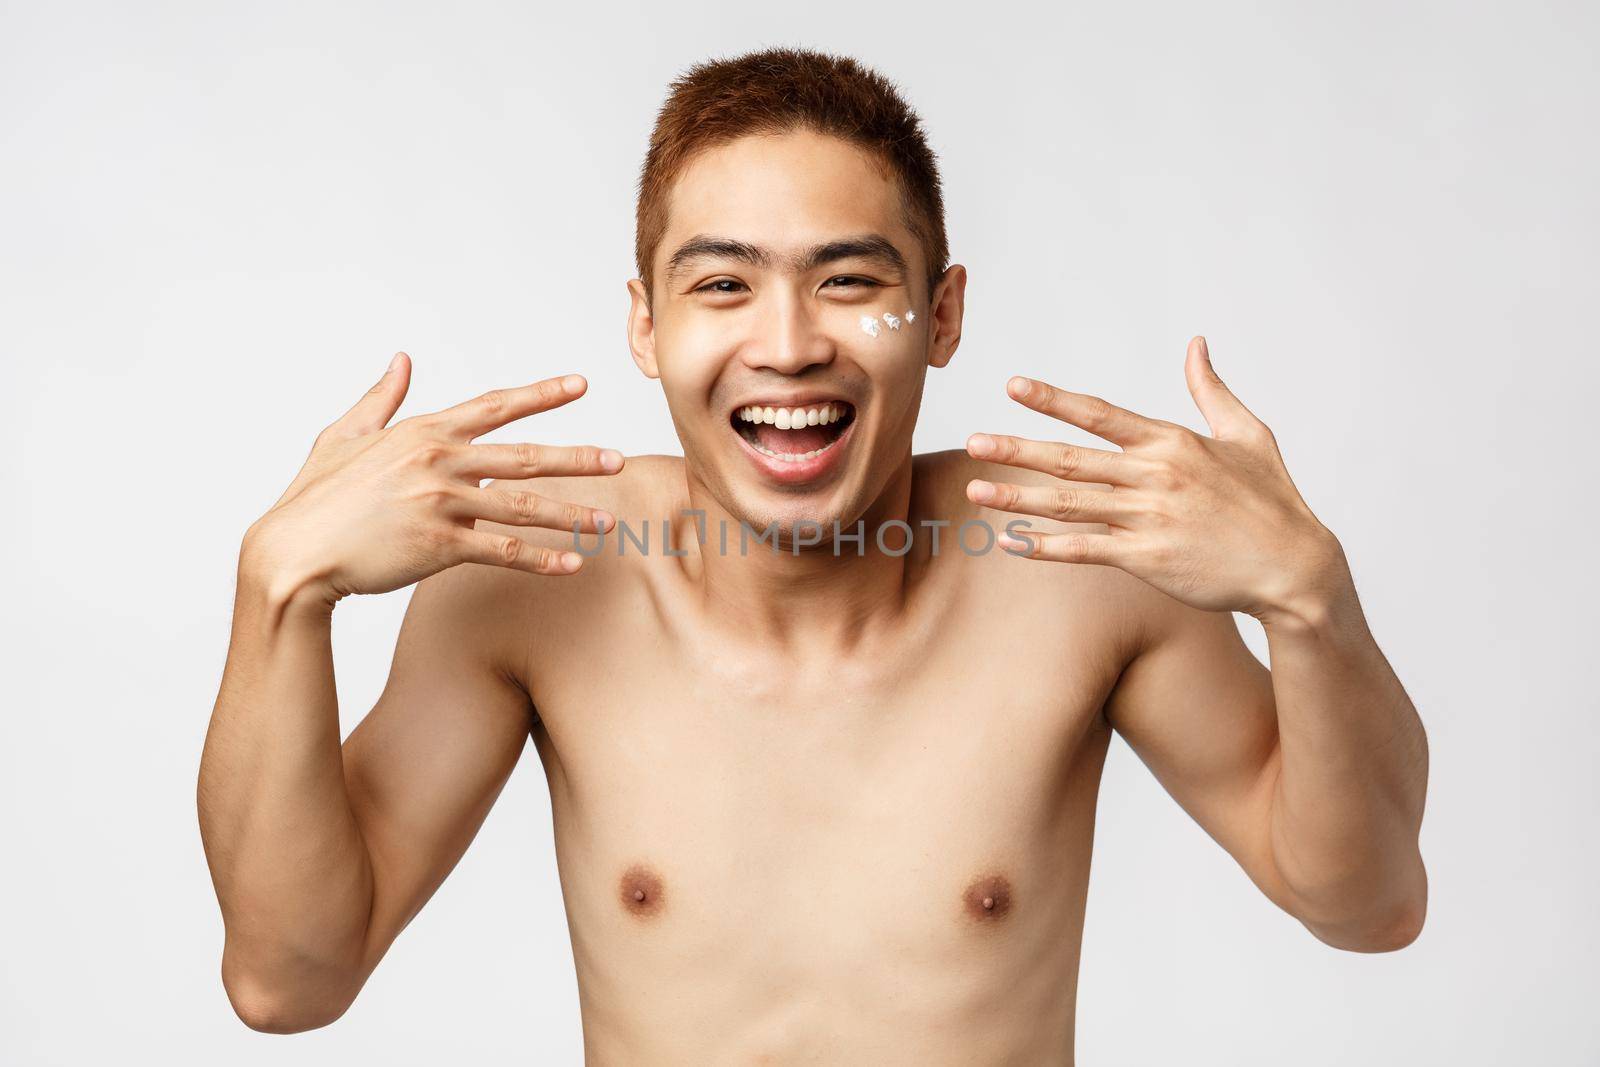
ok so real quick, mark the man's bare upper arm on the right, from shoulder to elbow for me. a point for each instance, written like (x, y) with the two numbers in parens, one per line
(1198, 708)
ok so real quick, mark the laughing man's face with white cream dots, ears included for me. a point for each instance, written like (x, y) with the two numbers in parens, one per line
(778, 252)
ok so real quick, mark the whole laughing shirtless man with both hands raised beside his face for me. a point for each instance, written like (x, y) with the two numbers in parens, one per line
(830, 804)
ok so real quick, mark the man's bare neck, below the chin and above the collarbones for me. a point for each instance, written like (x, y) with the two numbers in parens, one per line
(825, 597)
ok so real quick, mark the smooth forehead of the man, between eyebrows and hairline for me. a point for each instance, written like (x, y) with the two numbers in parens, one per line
(786, 191)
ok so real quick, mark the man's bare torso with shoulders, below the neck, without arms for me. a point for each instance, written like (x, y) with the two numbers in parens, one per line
(878, 857)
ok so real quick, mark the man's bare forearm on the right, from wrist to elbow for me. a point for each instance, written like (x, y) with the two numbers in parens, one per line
(1351, 775)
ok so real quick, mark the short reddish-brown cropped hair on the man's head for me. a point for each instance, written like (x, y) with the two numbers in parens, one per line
(780, 90)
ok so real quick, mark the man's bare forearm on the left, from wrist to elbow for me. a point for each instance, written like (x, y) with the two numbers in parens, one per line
(292, 873)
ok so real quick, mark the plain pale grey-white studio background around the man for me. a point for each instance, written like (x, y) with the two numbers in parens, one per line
(218, 225)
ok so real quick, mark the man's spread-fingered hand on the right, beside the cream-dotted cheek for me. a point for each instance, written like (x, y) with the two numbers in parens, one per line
(1214, 522)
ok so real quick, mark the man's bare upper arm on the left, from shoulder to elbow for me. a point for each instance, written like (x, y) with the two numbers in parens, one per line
(430, 761)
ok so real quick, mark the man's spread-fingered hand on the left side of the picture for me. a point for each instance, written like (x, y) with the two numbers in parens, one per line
(378, 506)
